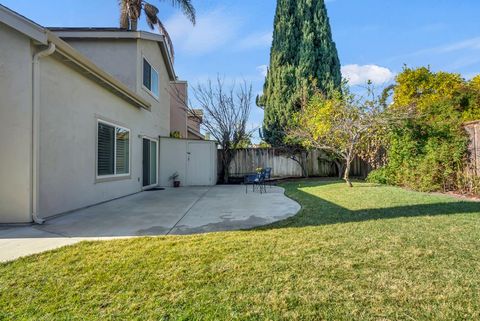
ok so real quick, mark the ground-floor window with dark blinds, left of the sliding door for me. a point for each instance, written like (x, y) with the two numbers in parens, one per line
(113, 150)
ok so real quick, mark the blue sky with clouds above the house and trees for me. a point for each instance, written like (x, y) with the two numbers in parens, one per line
(374, 38)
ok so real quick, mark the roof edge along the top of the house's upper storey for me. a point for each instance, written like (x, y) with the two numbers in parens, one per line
(118, 33)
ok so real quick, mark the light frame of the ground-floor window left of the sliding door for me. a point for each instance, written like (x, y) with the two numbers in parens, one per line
(102, 178)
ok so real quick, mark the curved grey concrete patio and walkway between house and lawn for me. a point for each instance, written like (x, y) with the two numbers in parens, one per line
(186, 210)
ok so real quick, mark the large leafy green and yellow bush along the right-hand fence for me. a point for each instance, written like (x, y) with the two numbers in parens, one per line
(429, 151)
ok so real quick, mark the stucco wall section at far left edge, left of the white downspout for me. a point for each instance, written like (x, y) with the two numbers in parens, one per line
(15, 125)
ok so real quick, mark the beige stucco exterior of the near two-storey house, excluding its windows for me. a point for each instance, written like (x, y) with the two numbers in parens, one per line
(76, 87)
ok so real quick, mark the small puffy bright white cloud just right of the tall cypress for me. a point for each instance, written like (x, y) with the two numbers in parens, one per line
(360, 74)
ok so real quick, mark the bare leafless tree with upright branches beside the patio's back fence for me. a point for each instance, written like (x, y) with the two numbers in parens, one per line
(226, 110)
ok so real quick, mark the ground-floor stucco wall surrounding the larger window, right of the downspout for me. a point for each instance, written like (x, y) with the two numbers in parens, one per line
(70, 106)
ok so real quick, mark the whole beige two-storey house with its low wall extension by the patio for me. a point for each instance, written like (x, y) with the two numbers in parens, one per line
(83, 112)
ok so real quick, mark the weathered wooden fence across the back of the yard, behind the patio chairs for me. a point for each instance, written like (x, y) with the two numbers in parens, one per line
(248, 160)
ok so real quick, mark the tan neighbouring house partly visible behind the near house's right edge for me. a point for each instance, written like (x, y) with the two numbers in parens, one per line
(182, 121)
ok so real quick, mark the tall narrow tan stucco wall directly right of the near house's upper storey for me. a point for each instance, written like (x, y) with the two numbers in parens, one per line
(178, 114)
